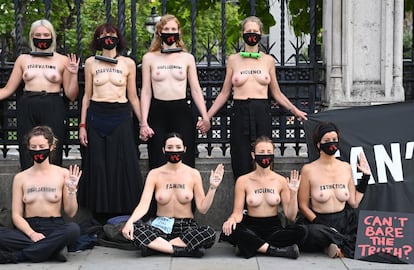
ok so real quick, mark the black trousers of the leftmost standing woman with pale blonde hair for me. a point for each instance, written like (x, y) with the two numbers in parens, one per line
(35, 109)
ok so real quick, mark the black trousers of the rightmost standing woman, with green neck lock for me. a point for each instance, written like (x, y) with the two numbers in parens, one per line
(250, 119)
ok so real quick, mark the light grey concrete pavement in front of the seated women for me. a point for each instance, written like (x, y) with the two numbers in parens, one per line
(220, 256)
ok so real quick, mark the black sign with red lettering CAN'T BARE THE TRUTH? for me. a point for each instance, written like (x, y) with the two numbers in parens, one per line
(385, 232)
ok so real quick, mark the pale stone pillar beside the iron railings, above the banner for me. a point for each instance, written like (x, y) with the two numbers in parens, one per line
(363, 52)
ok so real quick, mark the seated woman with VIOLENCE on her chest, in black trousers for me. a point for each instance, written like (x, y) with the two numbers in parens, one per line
(263, 190)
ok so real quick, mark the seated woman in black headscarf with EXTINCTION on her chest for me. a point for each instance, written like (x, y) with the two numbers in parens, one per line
(327, 197)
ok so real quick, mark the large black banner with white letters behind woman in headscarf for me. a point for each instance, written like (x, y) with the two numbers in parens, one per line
(385, 133)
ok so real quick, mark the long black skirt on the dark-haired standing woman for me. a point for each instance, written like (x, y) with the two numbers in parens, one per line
(111, 181)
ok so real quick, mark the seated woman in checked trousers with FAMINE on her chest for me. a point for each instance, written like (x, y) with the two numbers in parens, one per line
(174, 230)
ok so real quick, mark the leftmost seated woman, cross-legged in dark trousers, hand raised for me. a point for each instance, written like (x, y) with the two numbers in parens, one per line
(38, 196)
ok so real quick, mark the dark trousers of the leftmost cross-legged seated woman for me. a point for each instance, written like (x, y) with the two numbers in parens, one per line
(58, 234)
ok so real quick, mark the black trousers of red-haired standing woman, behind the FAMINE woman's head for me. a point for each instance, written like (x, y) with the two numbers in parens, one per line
(166, 117)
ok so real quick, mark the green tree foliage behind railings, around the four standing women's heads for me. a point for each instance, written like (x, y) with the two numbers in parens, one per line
(63, 15)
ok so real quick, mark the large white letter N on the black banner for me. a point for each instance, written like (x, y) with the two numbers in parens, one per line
(394, 165)
